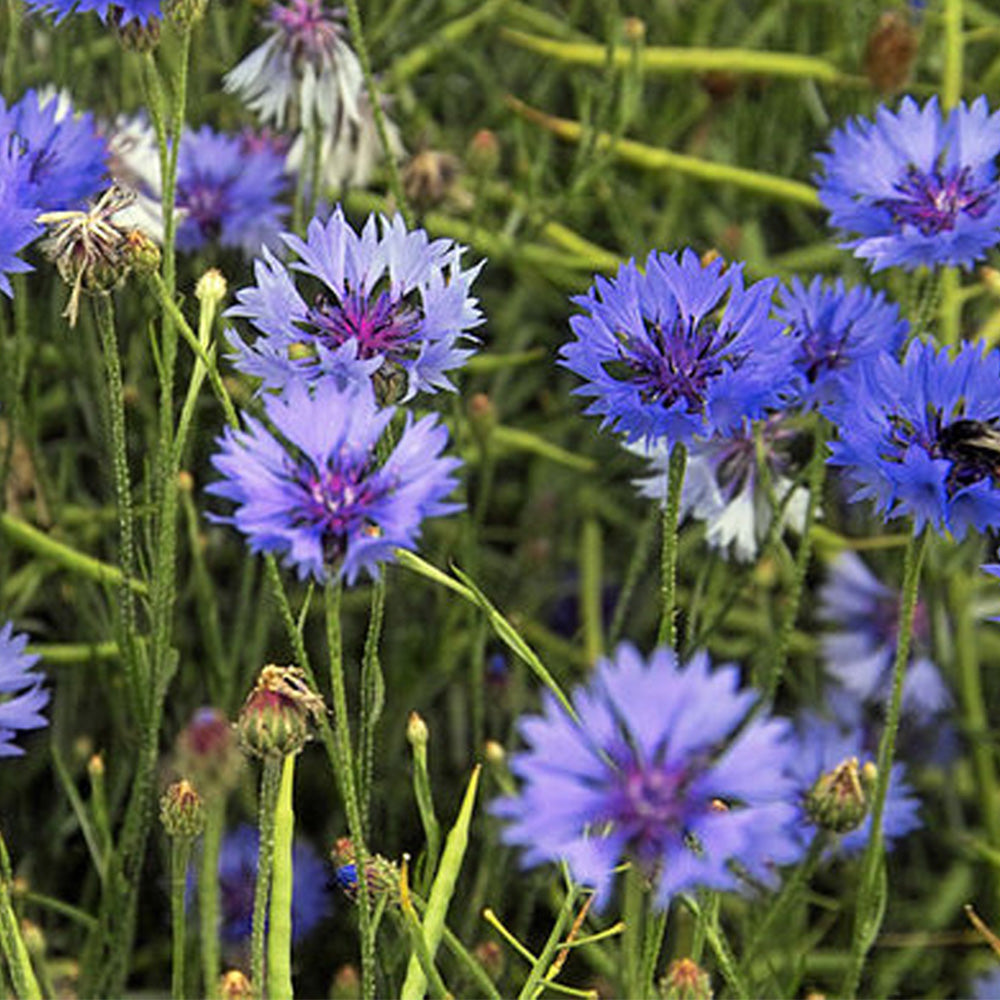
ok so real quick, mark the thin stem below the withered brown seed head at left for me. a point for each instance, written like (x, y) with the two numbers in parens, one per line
(136, 680)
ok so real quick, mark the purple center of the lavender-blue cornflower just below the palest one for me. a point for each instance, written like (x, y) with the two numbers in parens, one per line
(337, 499)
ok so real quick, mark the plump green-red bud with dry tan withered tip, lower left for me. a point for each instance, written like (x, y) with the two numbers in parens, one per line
(275, 718)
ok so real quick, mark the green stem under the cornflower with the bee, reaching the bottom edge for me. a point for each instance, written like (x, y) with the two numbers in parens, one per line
(871, 901)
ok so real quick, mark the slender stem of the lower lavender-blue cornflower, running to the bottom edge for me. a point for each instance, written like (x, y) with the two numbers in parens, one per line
(348, 784)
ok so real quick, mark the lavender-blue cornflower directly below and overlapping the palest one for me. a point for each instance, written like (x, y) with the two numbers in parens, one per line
(316, 493)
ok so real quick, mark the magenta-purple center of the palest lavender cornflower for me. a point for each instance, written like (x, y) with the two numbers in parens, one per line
(381, 325)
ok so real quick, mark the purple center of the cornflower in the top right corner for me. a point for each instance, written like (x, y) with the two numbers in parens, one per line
(933, 201)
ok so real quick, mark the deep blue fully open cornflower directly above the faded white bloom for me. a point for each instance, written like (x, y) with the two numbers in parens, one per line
(679, 349)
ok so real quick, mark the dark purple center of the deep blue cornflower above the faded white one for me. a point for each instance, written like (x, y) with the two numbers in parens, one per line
(679, 364)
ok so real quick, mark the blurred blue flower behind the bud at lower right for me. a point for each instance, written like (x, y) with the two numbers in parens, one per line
(822, 746)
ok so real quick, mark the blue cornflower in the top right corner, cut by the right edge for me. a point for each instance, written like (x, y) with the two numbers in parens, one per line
(916, 187)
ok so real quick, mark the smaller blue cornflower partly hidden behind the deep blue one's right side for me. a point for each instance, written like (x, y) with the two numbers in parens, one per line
(835, 328)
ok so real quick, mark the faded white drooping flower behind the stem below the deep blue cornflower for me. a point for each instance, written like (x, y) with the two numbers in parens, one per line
(723, 487)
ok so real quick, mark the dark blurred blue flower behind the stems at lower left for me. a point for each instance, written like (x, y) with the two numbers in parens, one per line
(237, 876)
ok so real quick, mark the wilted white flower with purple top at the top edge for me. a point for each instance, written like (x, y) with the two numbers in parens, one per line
(305, 71)
